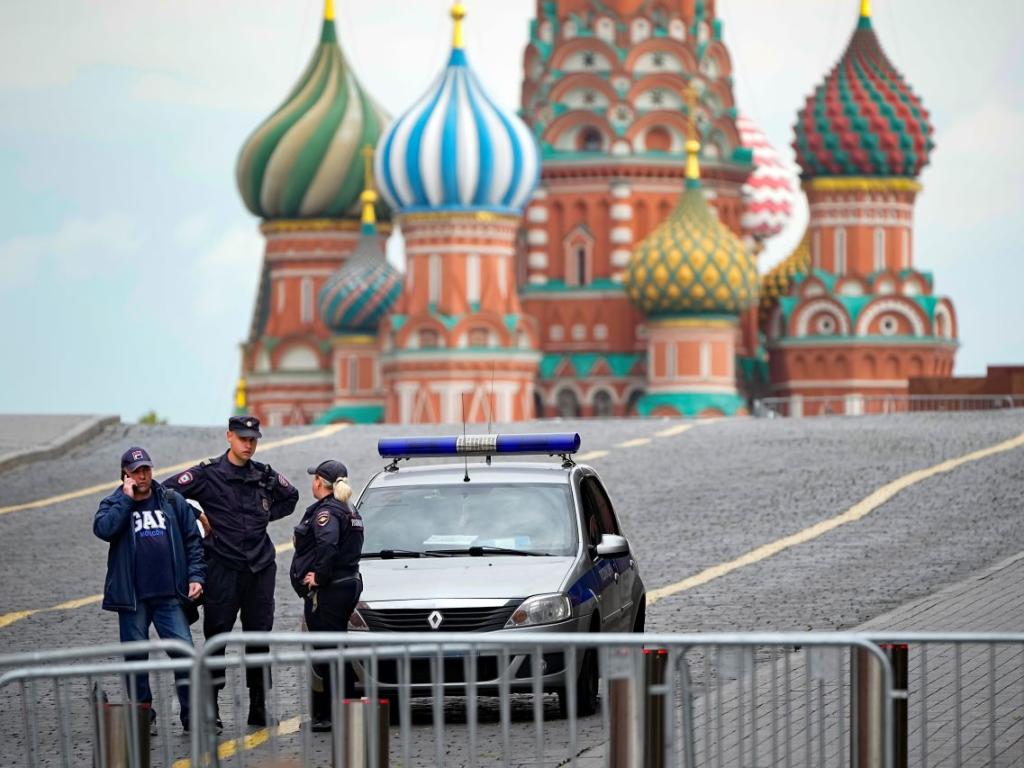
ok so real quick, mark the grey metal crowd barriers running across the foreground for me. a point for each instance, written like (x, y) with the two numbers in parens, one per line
(715, 700)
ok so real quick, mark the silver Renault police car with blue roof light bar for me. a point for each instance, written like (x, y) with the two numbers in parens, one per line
(495, 547)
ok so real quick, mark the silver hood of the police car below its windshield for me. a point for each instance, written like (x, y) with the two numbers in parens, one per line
(442, 579)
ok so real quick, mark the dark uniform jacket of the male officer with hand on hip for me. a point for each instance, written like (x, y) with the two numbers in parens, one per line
(240, 502)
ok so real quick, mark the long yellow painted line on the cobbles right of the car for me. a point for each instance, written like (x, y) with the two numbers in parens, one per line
(860, 510)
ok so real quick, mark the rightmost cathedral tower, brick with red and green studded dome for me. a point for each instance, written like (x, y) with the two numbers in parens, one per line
(856, 319)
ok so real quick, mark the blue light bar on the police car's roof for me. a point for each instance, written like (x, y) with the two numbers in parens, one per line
(558, 444)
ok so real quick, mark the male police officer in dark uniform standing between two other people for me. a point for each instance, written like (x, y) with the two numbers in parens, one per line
(240, 498)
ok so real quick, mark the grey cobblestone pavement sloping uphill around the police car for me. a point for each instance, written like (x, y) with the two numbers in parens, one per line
(688, 502)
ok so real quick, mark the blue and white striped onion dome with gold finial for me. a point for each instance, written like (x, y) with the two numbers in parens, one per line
(456, 150)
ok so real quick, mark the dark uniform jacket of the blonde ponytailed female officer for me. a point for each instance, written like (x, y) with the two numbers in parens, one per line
(328, 542)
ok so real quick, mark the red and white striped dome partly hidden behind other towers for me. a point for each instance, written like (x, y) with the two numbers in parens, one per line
(770, 192)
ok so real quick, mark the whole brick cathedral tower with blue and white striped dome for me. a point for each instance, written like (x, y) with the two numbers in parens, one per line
(458, 170)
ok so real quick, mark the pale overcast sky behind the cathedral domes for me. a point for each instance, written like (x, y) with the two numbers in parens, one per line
(129, 264)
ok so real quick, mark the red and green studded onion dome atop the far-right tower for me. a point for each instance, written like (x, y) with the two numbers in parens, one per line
(864, 120)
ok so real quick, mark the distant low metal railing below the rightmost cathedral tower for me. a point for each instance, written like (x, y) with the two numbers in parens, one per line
(880, 405)
